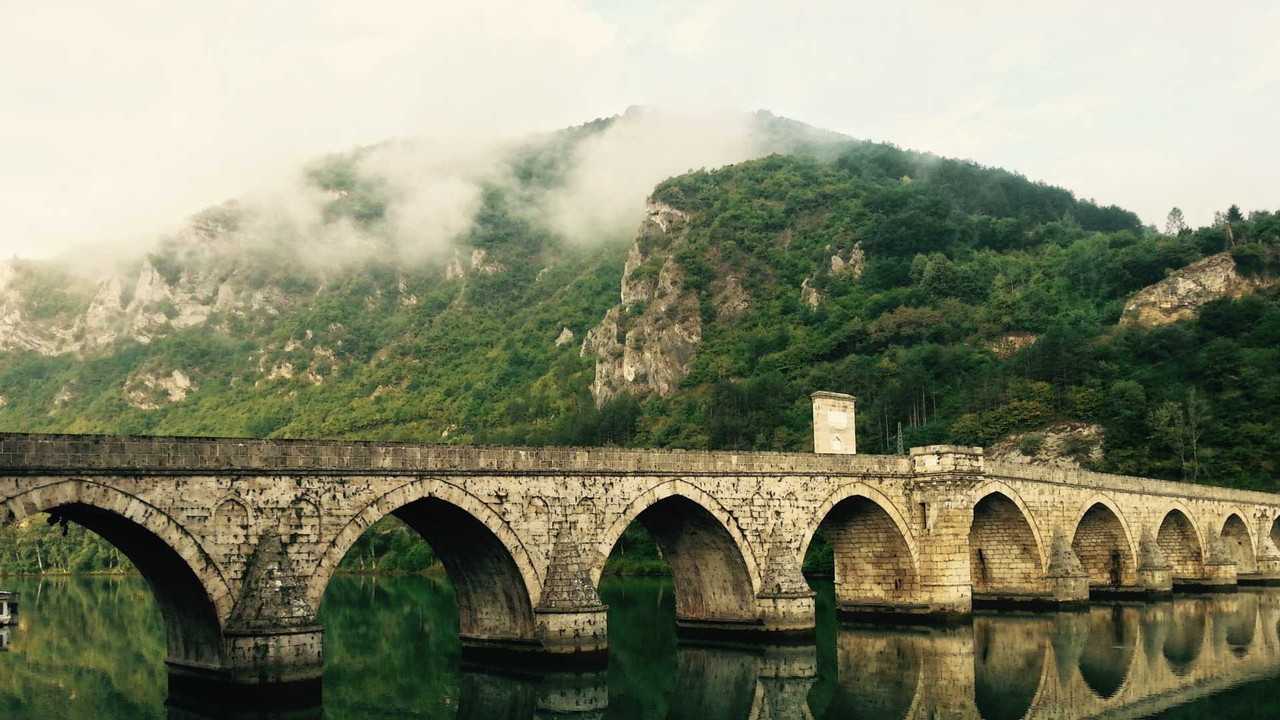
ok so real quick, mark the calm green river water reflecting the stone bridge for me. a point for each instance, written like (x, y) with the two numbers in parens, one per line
(94, 649)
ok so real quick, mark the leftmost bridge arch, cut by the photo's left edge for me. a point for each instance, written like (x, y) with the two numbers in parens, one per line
(190, 590)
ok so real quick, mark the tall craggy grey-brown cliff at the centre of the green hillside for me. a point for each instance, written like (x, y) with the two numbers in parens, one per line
(646, 344)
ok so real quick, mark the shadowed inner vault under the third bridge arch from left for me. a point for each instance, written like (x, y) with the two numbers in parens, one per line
(708, 566)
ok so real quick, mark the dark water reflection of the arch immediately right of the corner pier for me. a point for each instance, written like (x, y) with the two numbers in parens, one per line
(1009, 659)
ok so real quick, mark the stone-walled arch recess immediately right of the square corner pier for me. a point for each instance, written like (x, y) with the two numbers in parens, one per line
(1005, 550)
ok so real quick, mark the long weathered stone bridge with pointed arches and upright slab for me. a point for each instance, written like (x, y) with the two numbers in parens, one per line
(239, 539)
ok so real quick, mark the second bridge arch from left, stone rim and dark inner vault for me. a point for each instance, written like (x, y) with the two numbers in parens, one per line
(496, 582)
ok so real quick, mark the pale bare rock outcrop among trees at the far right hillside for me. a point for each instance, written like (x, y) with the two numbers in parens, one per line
(1181, 295)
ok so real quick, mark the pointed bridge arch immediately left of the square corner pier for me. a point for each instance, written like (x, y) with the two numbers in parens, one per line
(875, 559)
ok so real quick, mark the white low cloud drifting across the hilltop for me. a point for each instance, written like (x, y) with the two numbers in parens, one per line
(435, 188)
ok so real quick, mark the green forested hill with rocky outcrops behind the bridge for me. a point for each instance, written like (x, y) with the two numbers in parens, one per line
(966, 304)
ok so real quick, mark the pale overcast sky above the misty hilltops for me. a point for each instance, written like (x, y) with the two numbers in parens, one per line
(118, 120)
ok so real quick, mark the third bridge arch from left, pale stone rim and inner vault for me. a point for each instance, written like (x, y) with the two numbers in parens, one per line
(714, 567)
